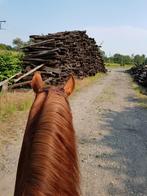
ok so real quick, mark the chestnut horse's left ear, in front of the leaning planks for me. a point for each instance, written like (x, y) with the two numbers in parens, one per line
(37, 82)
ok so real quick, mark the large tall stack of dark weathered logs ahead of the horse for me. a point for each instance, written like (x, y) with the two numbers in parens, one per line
(61, 54)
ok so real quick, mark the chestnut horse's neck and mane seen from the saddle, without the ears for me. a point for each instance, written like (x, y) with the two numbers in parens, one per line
(48, 163)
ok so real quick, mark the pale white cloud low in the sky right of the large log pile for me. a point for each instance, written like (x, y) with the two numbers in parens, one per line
(120, 39)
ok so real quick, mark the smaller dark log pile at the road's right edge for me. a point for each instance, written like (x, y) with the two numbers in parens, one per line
(139, 74)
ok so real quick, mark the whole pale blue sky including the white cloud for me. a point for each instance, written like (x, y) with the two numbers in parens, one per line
(120, 26)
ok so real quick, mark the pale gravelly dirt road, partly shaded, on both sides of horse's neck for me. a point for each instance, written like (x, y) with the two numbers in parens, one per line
(111, 128)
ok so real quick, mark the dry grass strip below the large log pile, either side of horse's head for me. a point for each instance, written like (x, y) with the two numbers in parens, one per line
(12, 102)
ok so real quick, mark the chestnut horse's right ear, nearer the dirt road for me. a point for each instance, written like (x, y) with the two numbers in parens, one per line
(69, 86)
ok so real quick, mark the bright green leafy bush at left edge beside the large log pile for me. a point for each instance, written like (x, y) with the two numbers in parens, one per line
(10, 63)
